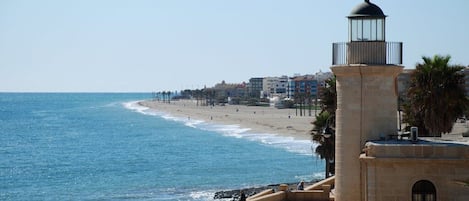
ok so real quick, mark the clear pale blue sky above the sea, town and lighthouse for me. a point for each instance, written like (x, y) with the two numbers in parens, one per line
(153, 45)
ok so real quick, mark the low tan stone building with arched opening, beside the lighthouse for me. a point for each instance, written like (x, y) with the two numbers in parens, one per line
(389, 171)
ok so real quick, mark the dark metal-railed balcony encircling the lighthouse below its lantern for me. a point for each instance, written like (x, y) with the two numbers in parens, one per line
(367, 52)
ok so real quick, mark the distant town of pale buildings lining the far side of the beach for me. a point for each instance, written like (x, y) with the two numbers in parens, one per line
(279, 91)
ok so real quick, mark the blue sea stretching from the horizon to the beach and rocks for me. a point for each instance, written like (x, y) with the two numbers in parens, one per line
(104, 146)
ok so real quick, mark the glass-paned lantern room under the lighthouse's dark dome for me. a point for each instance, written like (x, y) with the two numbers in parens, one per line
(370, 29)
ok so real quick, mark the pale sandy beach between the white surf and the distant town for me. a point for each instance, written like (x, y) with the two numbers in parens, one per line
(259, 119)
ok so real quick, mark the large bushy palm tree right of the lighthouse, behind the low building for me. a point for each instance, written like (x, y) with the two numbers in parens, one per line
(436, 96)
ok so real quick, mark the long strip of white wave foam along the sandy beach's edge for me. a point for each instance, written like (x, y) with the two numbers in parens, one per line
(285, 142)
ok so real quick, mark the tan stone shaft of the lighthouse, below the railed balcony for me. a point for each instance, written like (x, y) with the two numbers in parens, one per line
(366, 110)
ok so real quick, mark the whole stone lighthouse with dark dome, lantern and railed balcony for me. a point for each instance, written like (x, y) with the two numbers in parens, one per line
(366, 68)
